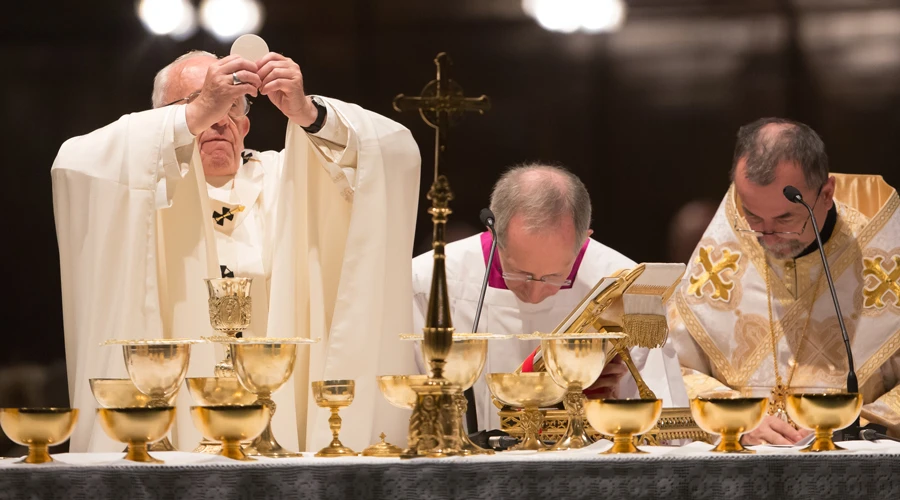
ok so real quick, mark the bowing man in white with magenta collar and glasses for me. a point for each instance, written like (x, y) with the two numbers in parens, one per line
(546, 262)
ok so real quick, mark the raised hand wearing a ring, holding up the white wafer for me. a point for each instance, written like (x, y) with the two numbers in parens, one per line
(219, 92)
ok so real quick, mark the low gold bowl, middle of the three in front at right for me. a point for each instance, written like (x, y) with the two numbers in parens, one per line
(729, 417)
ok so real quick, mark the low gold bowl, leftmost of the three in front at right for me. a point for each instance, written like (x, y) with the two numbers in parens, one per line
(623, 419)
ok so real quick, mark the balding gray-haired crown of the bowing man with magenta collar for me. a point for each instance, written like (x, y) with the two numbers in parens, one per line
(542, 195)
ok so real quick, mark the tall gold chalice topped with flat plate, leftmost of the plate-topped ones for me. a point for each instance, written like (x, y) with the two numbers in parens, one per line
(157, 368)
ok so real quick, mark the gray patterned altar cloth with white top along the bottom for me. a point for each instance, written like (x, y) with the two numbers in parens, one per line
(868, 470)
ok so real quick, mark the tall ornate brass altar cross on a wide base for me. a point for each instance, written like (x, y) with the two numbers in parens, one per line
(433, 425)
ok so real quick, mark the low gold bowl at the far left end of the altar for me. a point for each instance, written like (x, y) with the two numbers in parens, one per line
(38, 429)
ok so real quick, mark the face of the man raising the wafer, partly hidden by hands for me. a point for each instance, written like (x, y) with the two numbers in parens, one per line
(220, 145)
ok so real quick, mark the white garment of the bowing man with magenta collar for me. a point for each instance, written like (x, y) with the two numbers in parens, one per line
(503, 313)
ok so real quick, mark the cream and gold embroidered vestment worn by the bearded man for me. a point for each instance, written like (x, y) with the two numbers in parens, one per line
(720, 320)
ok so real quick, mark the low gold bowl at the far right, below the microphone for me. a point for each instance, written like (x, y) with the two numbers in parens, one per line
(823, 412)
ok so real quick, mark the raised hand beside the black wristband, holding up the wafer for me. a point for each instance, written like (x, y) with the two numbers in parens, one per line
(282, 82)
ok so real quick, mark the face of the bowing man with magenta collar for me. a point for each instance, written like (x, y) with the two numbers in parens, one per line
(547, 254)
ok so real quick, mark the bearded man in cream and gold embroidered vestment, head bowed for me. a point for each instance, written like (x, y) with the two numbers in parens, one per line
(754, 313)
